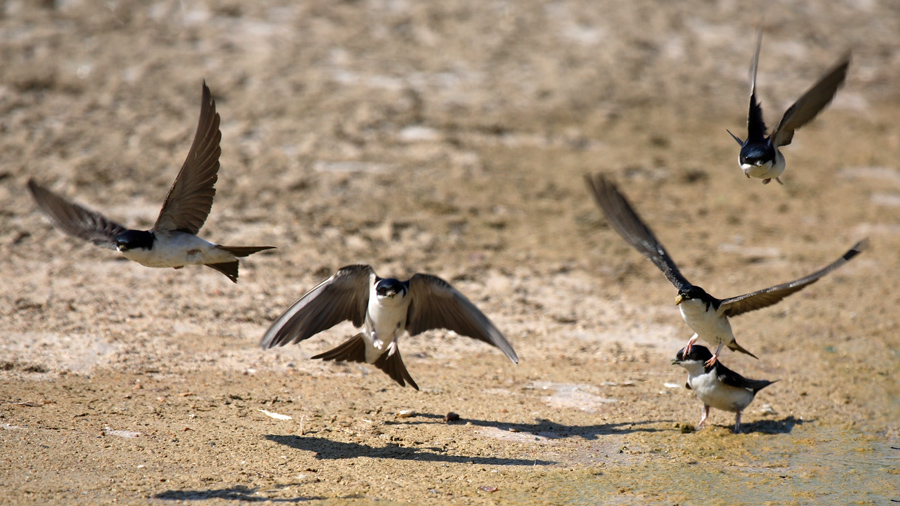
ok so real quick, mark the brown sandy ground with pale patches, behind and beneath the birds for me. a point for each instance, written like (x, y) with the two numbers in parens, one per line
(448, 138)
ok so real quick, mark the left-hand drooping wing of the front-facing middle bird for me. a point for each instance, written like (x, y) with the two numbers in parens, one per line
(343, 296)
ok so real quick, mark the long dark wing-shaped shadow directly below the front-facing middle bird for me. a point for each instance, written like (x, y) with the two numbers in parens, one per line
(328, 449)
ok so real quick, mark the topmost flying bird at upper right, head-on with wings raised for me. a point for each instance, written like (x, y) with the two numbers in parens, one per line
(760, 157)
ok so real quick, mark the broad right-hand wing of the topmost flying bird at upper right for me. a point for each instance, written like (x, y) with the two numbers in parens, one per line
(814, 100)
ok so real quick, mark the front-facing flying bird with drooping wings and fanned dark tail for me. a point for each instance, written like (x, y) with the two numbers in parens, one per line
(385, 308)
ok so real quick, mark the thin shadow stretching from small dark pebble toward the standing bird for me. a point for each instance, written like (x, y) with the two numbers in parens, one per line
(550, 429)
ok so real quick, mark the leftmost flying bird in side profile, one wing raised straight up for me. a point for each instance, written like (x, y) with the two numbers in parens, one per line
(173, 241)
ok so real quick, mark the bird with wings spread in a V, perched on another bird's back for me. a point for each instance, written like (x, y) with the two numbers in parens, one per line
(705, 314)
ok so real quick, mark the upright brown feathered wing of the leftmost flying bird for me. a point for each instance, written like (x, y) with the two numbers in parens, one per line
(190, 198)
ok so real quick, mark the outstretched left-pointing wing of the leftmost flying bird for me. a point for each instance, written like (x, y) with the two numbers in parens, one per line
(74, 219)
